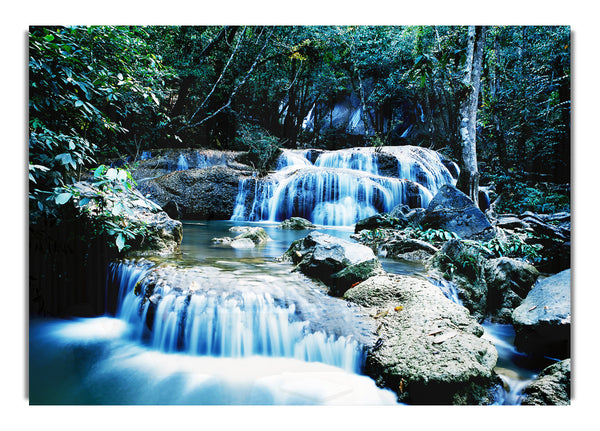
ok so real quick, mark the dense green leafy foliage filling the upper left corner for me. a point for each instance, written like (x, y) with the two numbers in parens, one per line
(87, 85)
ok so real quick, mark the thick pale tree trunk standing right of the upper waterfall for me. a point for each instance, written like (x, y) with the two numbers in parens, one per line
(468, 180)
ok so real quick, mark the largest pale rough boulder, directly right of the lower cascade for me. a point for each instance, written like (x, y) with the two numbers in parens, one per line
(428, 349)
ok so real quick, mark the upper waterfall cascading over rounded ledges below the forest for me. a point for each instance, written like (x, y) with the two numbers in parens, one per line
(342, 187)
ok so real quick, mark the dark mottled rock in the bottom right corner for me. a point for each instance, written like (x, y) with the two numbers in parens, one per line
(552, 386)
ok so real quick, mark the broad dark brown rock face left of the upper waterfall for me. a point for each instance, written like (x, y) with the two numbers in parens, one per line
(205, 194)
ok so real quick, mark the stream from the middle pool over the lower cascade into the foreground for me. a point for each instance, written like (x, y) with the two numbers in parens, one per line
(296, 346)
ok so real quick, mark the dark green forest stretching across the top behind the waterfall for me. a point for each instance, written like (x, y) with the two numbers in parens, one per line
(103, 92)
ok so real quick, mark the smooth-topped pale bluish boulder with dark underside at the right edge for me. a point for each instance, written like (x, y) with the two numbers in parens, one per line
(543, 320)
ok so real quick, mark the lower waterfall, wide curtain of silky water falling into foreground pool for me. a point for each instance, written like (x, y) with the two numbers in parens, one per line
(224, 320)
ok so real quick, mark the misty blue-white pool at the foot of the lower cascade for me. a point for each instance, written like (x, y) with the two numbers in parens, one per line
(92, 361)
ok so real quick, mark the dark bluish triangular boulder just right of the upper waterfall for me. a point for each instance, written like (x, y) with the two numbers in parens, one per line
(452, 210)
